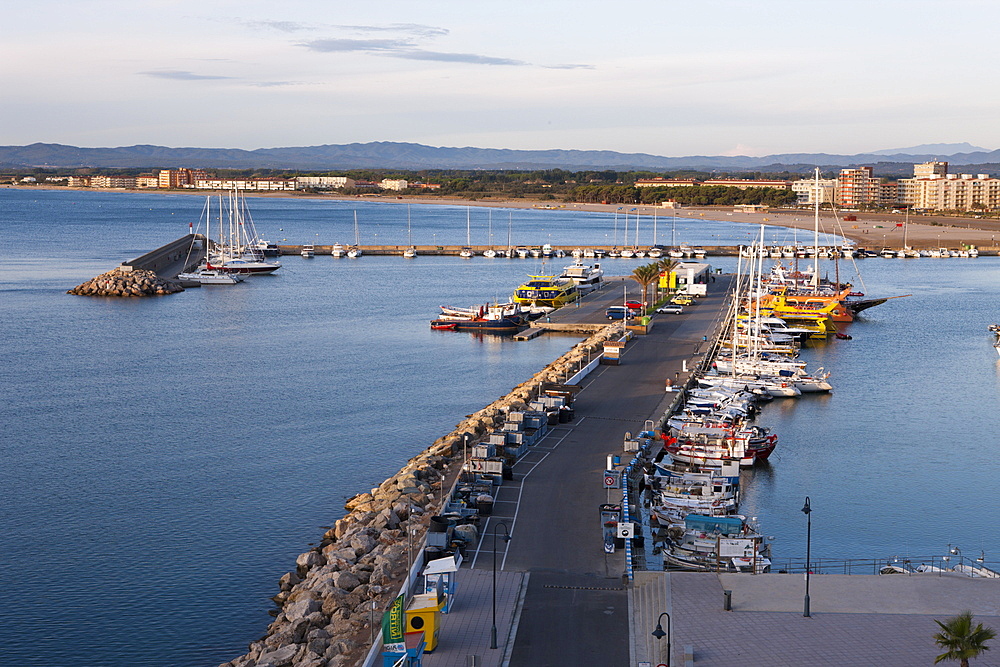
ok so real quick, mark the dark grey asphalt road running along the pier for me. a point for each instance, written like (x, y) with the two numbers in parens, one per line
(575, 610)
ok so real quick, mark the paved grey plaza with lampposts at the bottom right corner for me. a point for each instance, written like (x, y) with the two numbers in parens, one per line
(855, 619)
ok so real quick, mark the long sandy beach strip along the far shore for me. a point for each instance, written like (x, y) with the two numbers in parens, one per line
(871, 230)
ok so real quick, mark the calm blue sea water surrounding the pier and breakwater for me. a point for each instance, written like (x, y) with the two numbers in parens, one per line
(163, 461)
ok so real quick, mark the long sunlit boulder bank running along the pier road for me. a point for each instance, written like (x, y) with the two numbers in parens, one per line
(327, 604)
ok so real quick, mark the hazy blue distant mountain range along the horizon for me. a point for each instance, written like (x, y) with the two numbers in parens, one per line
(393, 155)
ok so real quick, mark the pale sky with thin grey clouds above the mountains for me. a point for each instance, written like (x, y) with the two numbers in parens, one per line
(666, 77)
